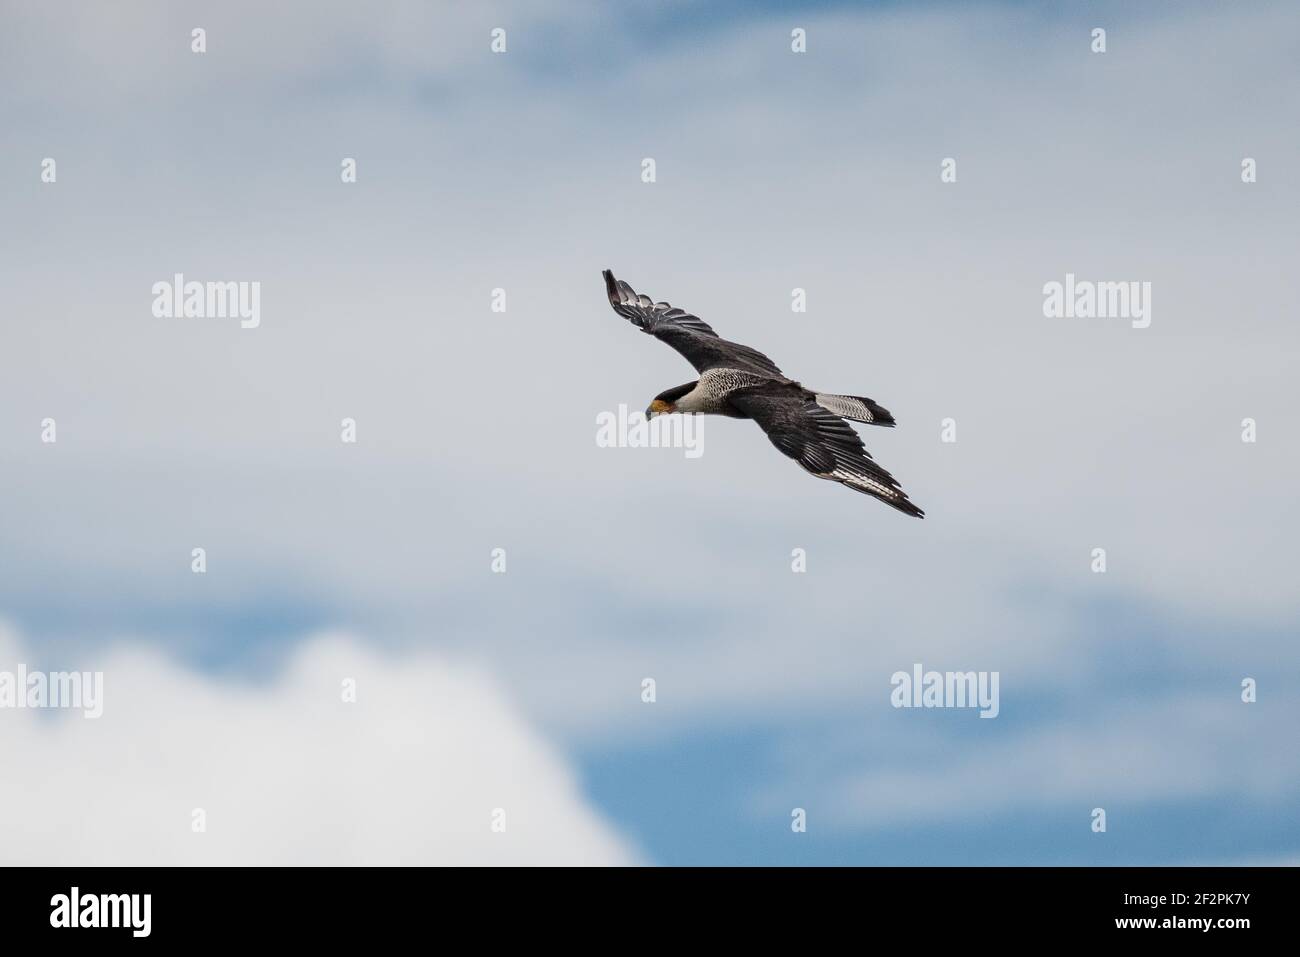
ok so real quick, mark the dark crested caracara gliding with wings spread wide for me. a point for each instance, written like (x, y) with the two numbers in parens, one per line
(743, 383)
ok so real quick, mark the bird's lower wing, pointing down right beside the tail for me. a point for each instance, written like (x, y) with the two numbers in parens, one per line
(822, 443)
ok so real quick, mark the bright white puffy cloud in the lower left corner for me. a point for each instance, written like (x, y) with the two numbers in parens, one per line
(288, 774)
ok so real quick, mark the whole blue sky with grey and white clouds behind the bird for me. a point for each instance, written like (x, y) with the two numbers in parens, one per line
(476, 431)
